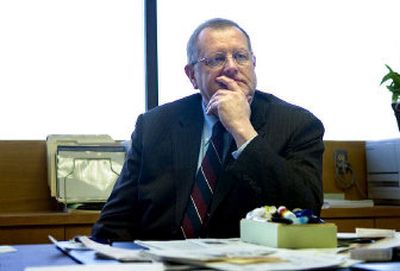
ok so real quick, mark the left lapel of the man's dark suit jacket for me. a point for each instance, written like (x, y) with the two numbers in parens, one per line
(186, 142)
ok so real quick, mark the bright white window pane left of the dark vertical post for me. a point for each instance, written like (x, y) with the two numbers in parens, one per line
(73, 66)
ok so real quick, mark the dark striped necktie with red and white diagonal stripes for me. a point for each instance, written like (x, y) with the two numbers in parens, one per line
(204, 185)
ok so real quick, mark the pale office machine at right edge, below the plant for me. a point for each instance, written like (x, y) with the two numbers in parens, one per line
(383, 170)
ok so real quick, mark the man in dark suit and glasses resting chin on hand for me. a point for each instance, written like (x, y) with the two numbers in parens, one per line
(272, 149)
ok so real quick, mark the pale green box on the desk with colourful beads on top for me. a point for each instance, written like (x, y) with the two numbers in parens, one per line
(288, 236)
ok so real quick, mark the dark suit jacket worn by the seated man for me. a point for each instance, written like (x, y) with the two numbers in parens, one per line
(281, 166)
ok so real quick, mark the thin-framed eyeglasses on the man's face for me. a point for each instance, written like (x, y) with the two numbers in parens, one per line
(219, 59)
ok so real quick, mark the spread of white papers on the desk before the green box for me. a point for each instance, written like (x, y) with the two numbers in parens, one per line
(235, 255)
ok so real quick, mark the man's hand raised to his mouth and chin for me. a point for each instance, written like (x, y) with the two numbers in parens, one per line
(231, 105)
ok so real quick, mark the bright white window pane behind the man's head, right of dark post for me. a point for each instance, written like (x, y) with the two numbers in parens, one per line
(325, 55)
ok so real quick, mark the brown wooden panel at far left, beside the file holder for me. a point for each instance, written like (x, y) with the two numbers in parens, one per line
(23, 177)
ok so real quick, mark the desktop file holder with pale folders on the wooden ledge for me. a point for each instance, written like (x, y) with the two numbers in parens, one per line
(82, 169)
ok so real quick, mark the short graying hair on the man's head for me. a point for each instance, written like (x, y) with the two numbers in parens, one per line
(217, 23)
